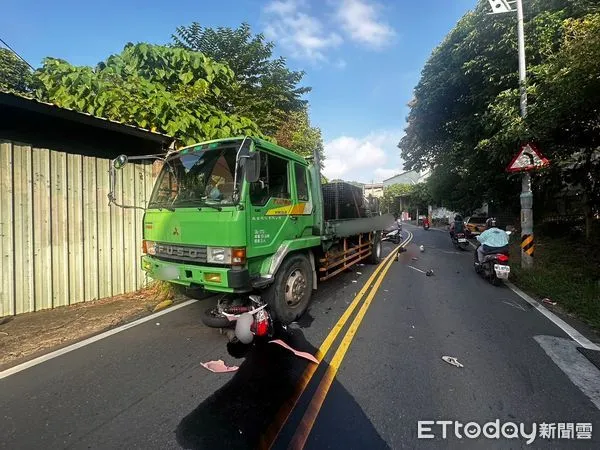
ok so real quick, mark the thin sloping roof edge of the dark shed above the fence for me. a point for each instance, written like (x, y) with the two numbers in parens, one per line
(26, 102)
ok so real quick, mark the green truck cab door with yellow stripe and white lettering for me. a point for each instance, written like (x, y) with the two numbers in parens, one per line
(270, 204)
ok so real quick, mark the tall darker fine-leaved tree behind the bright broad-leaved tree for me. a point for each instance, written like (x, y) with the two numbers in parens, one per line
(269, 90)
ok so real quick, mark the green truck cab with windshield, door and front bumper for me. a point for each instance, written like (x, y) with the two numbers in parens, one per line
(223, 213)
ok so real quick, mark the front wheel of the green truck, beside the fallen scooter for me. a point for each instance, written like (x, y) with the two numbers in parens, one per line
(289, 295)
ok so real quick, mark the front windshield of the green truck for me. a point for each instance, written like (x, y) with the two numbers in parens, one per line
(196, 179)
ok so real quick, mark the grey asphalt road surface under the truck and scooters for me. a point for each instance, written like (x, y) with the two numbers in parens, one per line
(145, 387)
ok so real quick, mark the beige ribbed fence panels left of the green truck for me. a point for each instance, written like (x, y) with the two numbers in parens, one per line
(60, 242)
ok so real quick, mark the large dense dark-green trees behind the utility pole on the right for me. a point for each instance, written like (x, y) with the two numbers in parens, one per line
(465, 119)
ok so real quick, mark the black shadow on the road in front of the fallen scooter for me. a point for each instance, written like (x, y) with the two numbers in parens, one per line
(238, 414)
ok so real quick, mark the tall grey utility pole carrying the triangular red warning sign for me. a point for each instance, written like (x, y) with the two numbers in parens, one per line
(505, 6)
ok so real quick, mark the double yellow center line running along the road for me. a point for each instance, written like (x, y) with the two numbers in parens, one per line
(302, 432)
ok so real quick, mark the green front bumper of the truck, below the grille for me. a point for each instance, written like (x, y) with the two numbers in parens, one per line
(217, 279)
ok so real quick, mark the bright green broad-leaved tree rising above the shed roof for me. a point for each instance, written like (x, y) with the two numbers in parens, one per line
(171, 90)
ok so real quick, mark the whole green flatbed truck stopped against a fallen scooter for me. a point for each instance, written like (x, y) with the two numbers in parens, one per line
(244, 216)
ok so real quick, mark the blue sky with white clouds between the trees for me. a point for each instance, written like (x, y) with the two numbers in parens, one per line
(362, 58)
